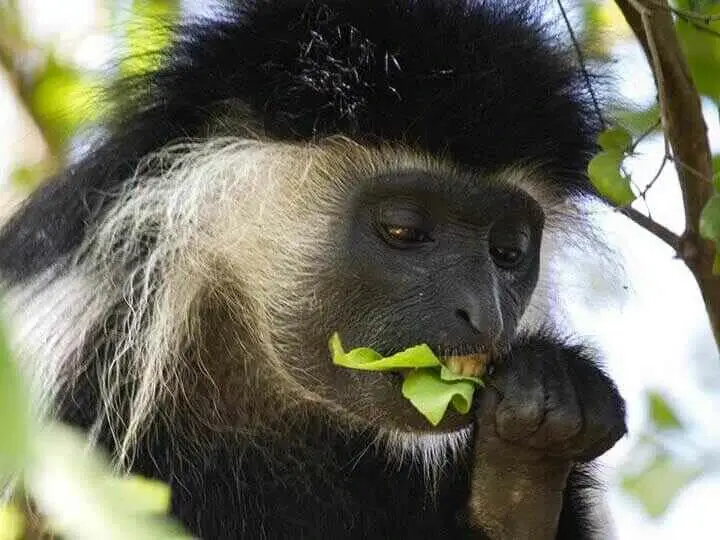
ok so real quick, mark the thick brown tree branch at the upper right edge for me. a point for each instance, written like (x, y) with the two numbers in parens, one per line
(685, 129)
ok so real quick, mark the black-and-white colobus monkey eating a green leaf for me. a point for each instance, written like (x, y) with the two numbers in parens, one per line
(386, 169)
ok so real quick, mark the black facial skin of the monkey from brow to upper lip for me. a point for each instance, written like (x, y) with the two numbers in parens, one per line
(439, 251)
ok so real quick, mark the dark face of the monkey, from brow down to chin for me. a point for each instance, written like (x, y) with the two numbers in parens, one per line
(446, 259)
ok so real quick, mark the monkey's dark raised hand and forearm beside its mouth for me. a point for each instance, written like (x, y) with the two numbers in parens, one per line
(545, 407)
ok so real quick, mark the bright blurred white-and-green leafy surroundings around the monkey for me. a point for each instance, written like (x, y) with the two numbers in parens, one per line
(649, 320)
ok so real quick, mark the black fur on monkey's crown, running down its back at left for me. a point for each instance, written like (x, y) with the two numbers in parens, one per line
(479, 82)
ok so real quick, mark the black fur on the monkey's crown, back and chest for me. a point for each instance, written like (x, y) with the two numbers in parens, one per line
(478, 83)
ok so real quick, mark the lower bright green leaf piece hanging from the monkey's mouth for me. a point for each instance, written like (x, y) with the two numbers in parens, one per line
(431, 396)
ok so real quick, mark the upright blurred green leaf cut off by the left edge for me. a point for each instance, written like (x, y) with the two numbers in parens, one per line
(14, 413)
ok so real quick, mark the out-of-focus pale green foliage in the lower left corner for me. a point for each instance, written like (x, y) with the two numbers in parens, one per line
(76, 498)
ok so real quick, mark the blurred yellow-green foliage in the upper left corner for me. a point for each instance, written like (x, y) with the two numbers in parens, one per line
(61, 96)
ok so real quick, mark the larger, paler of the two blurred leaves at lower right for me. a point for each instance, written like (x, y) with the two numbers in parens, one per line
(659, 483)
